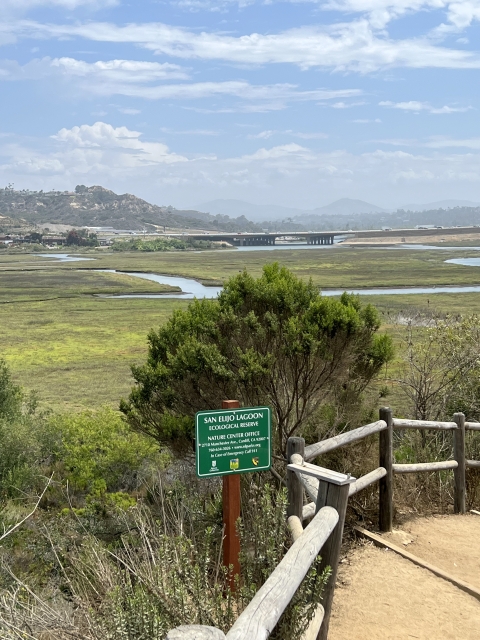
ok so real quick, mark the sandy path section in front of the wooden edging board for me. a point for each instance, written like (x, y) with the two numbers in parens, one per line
(381, 596)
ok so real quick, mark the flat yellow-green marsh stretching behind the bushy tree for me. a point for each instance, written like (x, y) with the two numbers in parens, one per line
(75, 347)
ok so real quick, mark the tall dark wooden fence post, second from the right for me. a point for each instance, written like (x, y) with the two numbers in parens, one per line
(385, 500)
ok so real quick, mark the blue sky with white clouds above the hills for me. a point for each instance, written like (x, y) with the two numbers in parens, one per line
(295, 102)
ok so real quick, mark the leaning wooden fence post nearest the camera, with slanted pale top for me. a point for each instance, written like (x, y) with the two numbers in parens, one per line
(336, 496)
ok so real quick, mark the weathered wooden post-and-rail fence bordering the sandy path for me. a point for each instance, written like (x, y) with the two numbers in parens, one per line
(329, 492)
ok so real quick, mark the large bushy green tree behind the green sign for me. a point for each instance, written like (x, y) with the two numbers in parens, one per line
(273, 340)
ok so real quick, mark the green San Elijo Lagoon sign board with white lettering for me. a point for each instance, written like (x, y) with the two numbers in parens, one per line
(233, 441)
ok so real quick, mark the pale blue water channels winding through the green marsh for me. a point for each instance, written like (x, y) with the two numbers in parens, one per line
(193, 289)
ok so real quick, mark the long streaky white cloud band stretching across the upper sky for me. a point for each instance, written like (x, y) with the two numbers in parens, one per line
(354, 46)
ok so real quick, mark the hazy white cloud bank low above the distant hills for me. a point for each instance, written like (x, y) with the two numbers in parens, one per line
(287, 174)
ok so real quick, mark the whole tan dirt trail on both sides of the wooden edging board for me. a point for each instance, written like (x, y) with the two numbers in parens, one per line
(381, 596)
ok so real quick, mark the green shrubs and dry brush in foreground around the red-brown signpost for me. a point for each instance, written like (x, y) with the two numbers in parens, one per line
(95, 562)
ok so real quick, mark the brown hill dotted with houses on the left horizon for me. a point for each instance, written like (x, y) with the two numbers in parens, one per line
(99, 207)
